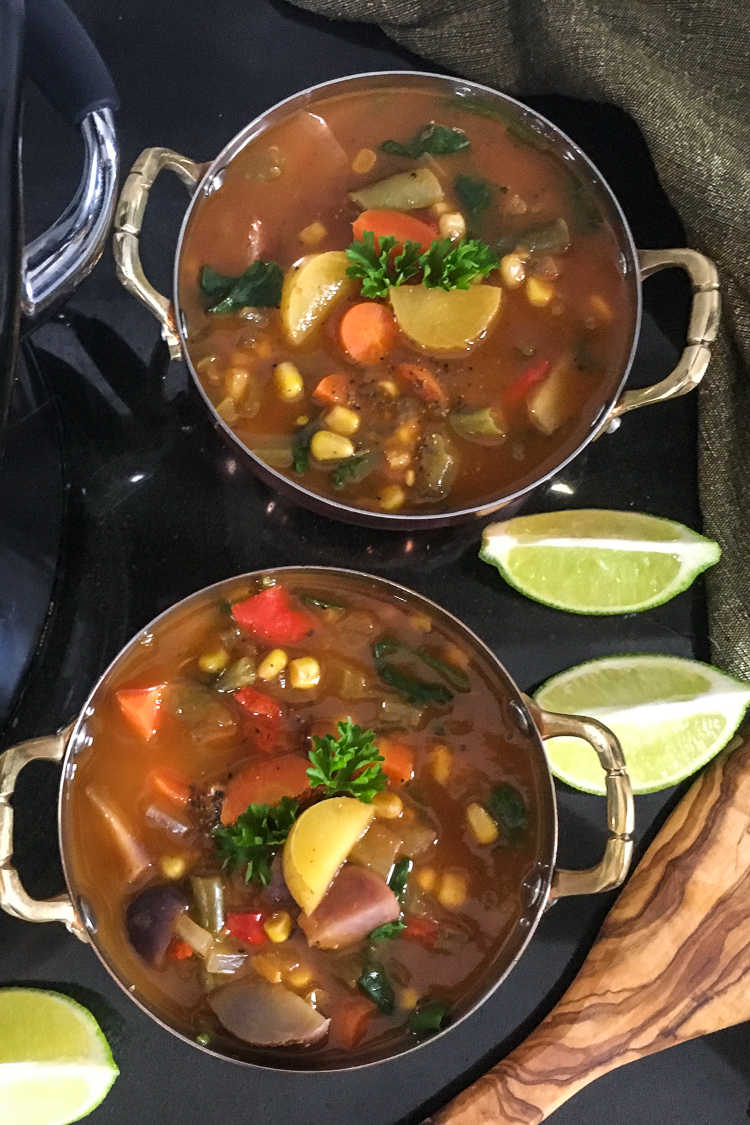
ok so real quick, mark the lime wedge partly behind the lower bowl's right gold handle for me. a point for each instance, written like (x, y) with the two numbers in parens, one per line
(671, 715)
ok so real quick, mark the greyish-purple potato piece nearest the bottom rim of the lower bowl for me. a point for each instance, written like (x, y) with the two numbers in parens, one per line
(267, 1015)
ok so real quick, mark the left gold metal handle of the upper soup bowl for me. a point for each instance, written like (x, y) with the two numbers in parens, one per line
(129, 220)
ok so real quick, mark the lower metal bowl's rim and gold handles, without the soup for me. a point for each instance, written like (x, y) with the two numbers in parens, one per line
(530, 725)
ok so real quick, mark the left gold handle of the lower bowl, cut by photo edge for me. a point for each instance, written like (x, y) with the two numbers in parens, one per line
(14, 898)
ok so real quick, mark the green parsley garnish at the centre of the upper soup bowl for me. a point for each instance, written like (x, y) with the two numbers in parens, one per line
(446, 264)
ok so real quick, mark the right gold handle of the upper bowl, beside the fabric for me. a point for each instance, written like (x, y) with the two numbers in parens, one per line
(702, 330)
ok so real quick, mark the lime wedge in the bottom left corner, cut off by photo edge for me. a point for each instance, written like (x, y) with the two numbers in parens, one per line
(56, 1064)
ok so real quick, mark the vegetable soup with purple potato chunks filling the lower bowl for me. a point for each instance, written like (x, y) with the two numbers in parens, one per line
(305, 821)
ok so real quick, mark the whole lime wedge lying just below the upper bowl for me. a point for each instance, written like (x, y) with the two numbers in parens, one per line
(594, 561)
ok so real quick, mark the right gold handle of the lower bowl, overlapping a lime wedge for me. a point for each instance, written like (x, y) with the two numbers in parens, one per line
(612, 869)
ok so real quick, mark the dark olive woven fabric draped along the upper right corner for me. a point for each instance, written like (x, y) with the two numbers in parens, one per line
(682, 70)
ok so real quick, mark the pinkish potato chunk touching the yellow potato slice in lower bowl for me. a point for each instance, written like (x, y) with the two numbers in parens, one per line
(357, 903)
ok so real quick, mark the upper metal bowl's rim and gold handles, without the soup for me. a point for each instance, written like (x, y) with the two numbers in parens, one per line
(203, 179)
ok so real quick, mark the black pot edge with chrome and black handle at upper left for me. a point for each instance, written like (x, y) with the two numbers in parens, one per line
(44, 41)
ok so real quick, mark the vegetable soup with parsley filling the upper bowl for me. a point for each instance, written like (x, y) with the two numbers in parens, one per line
(404, 301)
